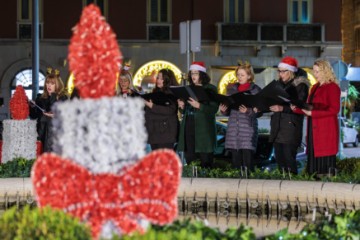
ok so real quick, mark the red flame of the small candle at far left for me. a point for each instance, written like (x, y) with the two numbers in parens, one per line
(19, 106)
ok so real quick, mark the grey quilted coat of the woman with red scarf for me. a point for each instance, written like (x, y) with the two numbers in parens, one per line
(242, 131)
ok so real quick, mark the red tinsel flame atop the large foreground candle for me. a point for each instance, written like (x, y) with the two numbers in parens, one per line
(94, 55)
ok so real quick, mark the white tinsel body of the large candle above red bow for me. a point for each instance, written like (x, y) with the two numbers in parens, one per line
(103, 135)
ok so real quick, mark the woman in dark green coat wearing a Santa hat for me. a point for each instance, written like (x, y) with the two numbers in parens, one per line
(197, 135)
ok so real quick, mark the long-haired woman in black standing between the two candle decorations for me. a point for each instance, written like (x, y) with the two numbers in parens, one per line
(41, 110)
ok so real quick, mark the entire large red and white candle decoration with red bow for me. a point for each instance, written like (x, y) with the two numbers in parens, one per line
(100, 173)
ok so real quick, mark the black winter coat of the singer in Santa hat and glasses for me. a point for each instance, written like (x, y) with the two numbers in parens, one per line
(287, 126)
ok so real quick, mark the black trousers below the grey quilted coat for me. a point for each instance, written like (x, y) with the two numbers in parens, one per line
(242, 158)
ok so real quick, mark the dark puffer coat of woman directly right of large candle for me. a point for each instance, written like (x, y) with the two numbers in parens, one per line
(162, 123)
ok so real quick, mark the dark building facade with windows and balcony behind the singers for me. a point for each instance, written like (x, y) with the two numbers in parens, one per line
(258, 31)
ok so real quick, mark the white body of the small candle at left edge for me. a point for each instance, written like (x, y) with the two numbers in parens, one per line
(19, 139)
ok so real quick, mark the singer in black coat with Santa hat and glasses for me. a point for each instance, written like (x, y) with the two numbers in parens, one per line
(287, 126)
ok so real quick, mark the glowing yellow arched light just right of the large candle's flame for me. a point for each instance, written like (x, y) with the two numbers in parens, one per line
(149, 68)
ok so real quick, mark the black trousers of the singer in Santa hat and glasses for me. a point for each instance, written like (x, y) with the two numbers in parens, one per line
(285, 155)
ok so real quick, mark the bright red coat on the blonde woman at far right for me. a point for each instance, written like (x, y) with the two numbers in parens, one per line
(324, 115)
